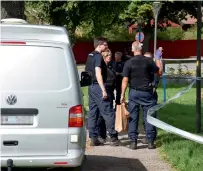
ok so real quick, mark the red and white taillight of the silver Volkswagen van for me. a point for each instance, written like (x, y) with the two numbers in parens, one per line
(76, 116)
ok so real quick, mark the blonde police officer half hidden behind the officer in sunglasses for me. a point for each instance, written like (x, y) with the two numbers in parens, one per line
(110, 85)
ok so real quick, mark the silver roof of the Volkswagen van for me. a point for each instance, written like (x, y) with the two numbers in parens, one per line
(34, 32)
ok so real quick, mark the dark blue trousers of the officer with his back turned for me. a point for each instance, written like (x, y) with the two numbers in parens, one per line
(146, 100)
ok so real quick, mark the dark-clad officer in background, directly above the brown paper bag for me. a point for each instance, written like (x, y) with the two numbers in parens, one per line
(119, 69)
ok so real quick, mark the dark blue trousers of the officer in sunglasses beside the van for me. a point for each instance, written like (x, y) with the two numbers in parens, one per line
(99, 107)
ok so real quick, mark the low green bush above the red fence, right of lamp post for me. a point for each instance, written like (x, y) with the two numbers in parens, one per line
(171, 34)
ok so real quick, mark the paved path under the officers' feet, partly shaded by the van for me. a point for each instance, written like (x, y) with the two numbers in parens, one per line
(121, 158)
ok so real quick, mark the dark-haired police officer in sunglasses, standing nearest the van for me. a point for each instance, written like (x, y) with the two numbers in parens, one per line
(99, 101)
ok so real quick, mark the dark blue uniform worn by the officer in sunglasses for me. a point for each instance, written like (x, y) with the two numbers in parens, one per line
(98, 105)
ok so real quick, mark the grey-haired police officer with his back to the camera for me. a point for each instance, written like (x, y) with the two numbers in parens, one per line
(137, 71)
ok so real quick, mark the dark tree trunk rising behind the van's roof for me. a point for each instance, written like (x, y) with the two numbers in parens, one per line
(12, 9)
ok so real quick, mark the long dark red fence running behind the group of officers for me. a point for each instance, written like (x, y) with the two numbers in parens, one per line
(172, 49)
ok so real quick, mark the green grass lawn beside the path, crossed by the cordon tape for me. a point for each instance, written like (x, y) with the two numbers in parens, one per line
(182, 154)
